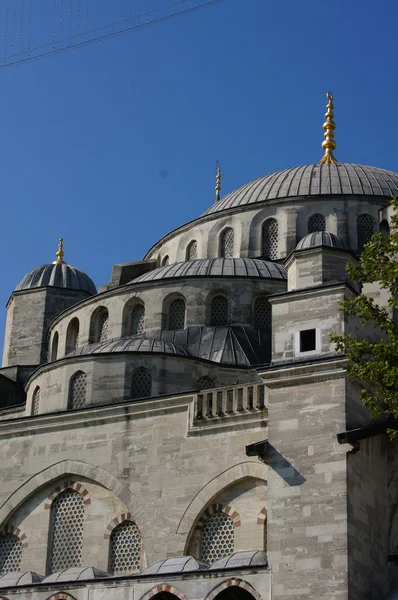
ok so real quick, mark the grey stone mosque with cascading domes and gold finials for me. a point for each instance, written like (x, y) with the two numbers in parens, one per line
(188, 431)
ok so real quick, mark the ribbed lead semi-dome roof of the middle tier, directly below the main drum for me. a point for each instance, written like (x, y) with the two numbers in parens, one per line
(217, 267)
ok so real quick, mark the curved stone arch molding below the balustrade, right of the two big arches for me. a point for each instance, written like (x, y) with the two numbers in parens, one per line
(215, 487)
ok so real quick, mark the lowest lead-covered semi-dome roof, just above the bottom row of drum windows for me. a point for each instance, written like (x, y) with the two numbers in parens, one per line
(137, 343)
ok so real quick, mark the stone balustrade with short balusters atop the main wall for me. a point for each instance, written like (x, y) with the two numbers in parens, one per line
(229, 401)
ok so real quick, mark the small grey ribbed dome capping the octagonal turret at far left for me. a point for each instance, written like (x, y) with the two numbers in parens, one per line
(57, 275)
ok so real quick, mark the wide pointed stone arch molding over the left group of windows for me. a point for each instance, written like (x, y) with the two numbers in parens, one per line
(69, 468)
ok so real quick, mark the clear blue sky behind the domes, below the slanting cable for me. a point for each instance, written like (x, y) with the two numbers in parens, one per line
(113, 145)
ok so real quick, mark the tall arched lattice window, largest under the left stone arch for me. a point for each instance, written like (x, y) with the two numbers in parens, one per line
(66, 531)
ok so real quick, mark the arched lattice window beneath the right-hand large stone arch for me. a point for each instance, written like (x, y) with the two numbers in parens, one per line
(217, 537)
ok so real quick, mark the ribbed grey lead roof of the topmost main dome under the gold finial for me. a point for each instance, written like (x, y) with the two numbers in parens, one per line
(313, 180)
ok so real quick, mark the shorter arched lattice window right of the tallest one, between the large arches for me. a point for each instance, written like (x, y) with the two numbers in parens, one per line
(125, 549)
